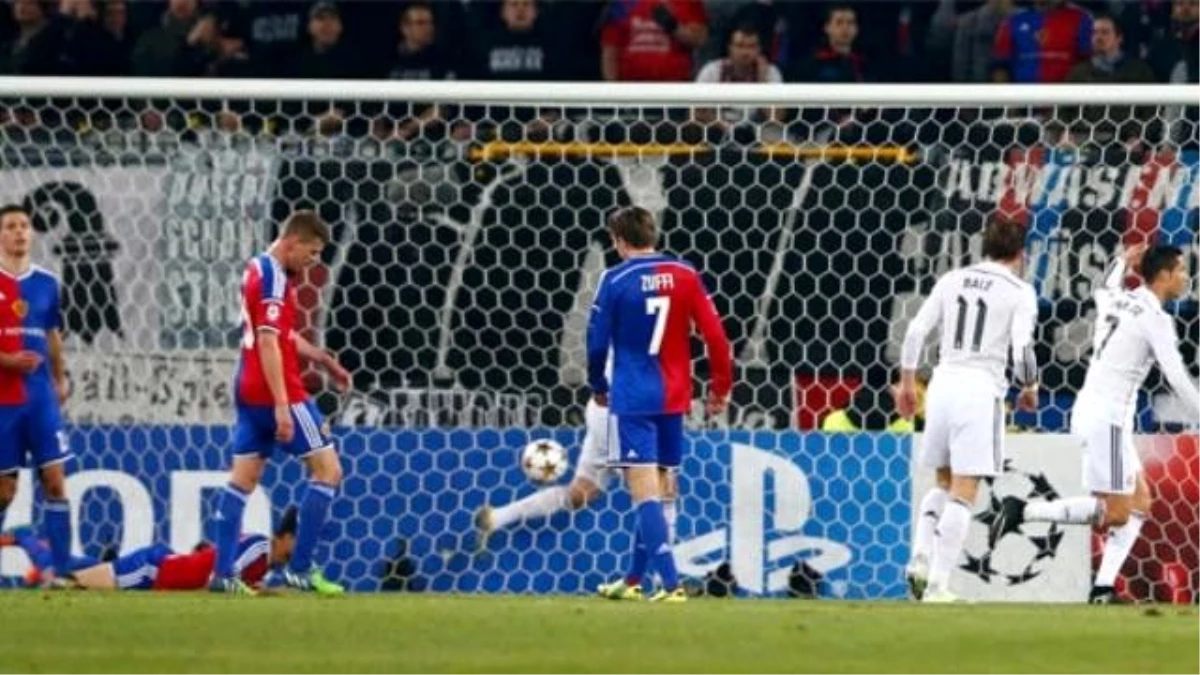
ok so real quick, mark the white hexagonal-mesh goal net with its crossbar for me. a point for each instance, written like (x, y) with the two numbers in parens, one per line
(469, 226)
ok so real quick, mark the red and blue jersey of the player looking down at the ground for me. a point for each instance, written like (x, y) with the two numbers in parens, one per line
(269, 303)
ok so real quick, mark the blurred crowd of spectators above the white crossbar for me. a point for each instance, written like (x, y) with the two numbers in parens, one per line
(615, 40)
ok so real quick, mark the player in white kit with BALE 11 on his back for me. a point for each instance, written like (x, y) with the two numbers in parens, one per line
(987, 313)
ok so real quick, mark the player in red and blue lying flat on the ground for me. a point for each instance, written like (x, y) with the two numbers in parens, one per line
(160, 569)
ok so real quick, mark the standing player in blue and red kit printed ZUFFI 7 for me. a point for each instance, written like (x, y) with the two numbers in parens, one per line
(644, 313)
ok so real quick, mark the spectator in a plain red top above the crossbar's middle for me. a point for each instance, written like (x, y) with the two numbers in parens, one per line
(652, 40)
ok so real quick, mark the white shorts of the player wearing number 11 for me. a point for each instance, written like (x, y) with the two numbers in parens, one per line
(964, 427)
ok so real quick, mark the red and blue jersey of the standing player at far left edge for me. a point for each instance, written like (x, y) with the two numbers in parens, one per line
(29, 312)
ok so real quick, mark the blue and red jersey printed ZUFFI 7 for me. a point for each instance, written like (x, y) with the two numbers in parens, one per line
(645, 310)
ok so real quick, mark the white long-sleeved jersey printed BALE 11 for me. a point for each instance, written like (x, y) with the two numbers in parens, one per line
(987, 314)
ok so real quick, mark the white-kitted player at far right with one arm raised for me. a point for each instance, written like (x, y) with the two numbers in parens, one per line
(1132, 332)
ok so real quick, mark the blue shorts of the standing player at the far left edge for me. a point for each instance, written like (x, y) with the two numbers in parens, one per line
(33, 433)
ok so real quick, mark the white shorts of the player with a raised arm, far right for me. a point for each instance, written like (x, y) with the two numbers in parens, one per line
(1111, 461)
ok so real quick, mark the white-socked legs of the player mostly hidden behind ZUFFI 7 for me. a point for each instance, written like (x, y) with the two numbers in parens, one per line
(592, 479)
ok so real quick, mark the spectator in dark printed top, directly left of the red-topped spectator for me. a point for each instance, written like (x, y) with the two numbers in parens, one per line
(519, 47)
